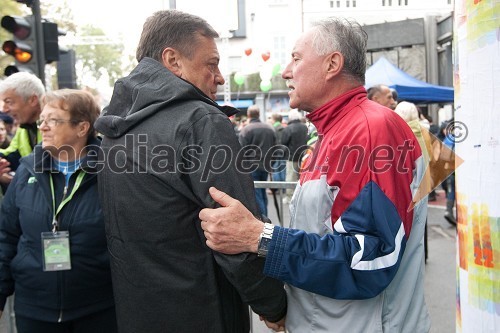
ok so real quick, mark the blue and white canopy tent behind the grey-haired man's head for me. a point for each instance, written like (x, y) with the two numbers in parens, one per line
(408, 88)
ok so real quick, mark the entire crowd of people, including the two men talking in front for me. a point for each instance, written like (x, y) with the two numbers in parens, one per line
(137, 229)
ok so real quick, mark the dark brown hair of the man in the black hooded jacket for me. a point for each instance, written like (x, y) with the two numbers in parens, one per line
(172, 28)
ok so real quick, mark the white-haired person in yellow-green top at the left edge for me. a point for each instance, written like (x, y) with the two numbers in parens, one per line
(22, 95)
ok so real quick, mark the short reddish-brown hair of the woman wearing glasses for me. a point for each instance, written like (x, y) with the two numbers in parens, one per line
(80, 105)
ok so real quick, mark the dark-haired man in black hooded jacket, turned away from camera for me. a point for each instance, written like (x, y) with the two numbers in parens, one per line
(166, 141)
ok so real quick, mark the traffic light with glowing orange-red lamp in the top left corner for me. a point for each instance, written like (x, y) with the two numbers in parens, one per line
(23, 47)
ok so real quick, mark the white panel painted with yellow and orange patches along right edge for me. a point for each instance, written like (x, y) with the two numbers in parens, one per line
(477, 116)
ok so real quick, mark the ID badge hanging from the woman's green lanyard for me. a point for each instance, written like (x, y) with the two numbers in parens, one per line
(55, 248)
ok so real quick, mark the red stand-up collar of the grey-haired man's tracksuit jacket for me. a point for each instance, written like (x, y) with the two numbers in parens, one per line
(326, 116)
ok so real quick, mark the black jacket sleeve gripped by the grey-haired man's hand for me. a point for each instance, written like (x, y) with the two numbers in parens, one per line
(220, 158)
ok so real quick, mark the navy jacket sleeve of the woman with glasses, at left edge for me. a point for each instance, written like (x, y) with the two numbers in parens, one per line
(10, 231)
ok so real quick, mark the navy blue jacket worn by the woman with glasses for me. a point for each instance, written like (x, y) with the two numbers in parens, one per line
(26, 213)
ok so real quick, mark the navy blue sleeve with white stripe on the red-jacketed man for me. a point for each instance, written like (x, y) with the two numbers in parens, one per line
(357, 261)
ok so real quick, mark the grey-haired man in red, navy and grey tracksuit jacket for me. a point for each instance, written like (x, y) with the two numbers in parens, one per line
(353, 256)
